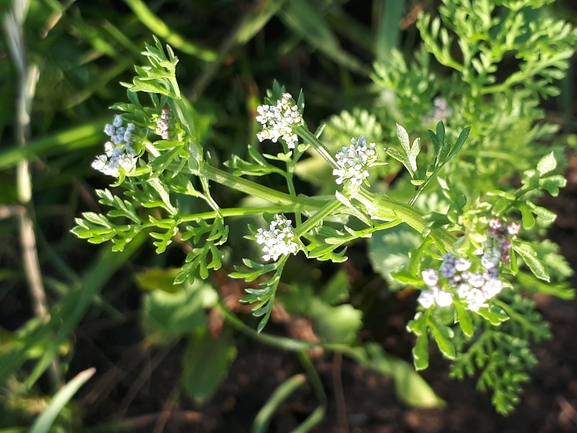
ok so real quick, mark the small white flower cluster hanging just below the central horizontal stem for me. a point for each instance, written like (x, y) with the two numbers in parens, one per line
(278, 240)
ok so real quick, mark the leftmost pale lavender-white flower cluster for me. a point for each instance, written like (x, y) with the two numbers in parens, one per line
(118, 152)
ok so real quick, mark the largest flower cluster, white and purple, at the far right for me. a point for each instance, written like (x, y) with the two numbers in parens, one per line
(474, 288)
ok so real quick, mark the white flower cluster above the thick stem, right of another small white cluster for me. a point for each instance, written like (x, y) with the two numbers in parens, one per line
(354, 160)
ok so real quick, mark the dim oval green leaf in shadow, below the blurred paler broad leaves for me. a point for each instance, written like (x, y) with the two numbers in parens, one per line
(206, 363)
